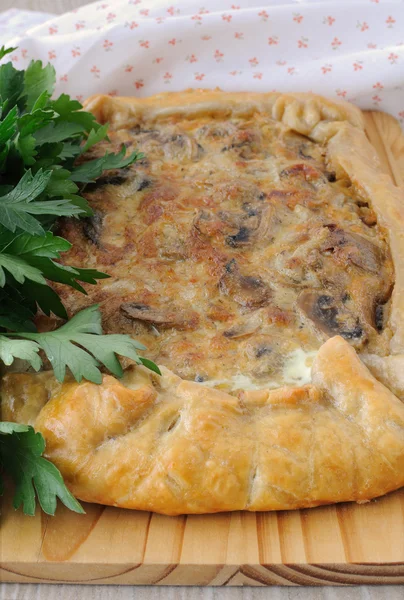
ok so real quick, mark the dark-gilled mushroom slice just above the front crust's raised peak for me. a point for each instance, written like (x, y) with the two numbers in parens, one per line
(330, 317)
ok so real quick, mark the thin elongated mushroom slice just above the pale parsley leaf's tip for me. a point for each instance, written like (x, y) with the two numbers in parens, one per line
(161, 317)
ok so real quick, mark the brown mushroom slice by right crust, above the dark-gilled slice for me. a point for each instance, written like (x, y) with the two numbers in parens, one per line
(353, 248)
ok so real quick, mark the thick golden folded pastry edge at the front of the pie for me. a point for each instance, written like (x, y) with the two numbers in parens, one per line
(171, 446)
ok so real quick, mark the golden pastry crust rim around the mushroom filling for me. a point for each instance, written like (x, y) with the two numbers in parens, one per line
(175, 446)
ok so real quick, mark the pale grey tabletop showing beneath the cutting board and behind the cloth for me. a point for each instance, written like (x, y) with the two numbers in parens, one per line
(115, 592)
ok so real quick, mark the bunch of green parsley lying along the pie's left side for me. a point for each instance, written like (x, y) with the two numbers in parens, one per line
(42, 173)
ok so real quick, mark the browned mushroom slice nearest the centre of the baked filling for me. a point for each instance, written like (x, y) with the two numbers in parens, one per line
(248, 291)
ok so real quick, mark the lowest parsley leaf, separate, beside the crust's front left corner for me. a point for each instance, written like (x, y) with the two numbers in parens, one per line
(21, 450)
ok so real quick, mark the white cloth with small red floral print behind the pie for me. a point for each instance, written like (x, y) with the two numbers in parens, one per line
(351, 49)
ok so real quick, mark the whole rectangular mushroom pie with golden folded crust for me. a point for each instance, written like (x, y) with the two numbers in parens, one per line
(257, 227)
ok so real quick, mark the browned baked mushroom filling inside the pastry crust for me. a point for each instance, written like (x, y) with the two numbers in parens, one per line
(234, 251)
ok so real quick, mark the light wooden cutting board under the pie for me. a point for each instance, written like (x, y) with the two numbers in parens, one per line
(333, 545)
